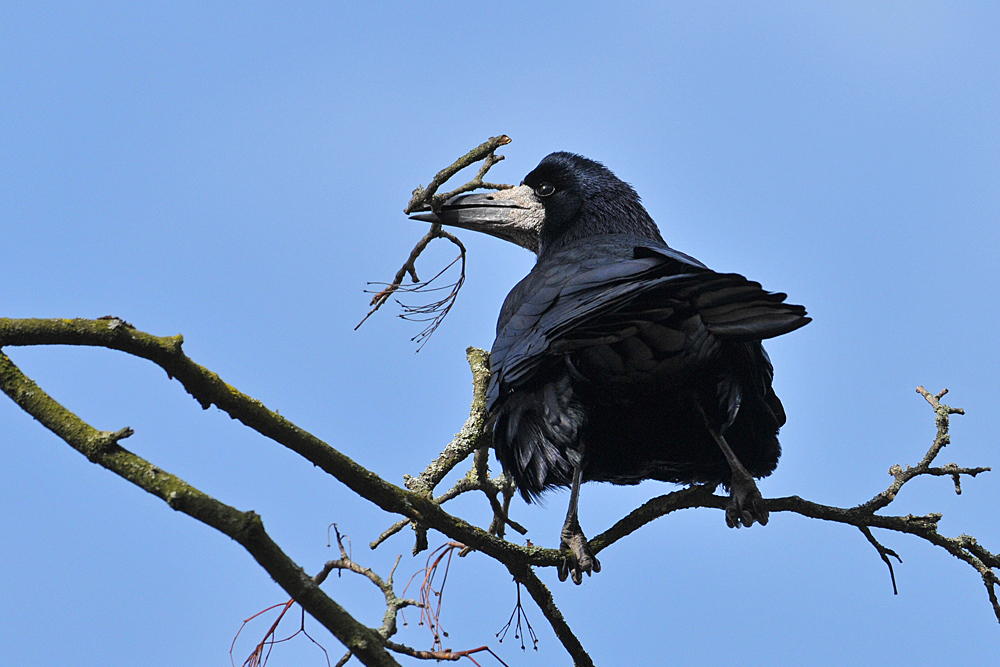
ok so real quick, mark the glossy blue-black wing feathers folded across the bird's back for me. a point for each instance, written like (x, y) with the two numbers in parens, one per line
(586, 299)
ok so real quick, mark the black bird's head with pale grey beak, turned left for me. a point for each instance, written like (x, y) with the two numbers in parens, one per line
(566, 197)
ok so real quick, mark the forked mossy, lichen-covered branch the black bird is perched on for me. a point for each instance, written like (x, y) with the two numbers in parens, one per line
(416, 503)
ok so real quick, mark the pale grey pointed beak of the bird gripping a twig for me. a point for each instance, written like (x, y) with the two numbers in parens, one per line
(514, 215)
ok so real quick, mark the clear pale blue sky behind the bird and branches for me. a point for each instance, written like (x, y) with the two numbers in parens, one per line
(236, 173)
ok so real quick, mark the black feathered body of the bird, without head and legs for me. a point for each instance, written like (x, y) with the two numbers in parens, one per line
(610, 342)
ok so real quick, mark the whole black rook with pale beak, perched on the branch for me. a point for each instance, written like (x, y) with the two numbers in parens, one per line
(619, 359)
